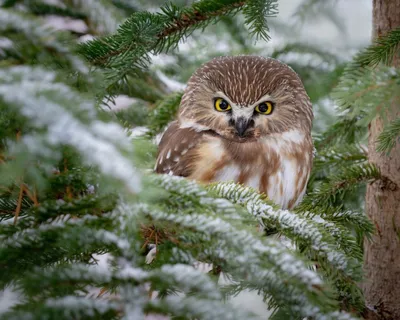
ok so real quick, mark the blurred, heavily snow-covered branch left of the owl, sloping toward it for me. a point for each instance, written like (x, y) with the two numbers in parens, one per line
(43, 97)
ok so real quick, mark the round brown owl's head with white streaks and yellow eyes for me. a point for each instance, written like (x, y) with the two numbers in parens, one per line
(244, 98)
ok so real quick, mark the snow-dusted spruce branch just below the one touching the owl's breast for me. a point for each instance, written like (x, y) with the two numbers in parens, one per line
(252, 250)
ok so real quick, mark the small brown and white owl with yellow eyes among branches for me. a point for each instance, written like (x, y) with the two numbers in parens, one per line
(245, 119)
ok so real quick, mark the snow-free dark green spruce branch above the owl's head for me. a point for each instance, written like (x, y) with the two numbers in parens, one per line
(127, 52)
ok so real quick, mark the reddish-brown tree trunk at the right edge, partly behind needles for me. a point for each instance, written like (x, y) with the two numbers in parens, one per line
(382, 254)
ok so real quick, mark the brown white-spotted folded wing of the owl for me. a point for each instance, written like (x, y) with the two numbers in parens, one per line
(176, 150)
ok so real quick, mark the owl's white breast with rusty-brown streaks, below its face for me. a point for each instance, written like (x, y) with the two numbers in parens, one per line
(277, 166)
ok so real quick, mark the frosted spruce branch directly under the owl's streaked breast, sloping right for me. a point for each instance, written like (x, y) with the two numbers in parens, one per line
(297, 228)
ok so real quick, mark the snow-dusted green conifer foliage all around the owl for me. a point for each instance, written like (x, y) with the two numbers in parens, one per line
(79, 206)
